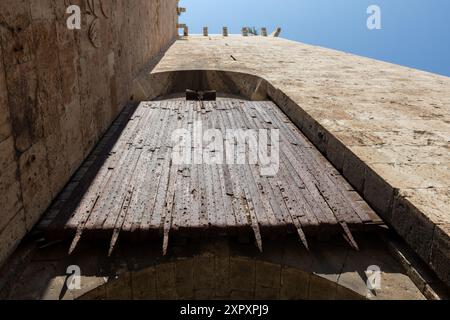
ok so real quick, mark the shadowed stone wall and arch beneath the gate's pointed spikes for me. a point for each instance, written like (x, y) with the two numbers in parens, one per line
(225, 268)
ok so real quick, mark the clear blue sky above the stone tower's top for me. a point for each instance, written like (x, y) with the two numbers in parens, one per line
(415, 33)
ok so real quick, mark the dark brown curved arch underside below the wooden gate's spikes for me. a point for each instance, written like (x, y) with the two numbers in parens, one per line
(218, 277)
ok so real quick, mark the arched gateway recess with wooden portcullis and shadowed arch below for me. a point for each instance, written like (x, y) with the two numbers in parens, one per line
(140, 224)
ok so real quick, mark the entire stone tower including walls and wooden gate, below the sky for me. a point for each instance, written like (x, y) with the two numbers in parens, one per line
(86, 175)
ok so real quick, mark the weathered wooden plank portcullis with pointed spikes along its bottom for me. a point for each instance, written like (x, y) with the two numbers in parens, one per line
(140, 191)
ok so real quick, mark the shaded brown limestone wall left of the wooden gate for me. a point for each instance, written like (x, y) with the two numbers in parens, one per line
(61, 89)
